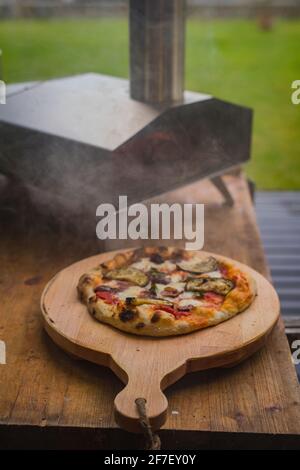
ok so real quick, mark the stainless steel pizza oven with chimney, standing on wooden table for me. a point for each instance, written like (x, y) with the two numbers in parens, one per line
(71, 143)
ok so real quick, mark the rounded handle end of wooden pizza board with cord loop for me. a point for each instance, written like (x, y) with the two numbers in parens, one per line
(126, 412)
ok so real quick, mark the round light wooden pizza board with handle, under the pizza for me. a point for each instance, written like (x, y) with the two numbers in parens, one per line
(149, 365)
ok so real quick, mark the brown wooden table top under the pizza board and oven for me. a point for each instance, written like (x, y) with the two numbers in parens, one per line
(50, 400)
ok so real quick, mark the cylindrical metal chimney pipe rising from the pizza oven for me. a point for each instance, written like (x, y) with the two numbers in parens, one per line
(157, 30)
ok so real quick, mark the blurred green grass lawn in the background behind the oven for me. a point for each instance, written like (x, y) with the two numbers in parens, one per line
(231, 59)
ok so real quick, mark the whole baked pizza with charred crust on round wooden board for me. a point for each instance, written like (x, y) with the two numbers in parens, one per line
(163, 291)
